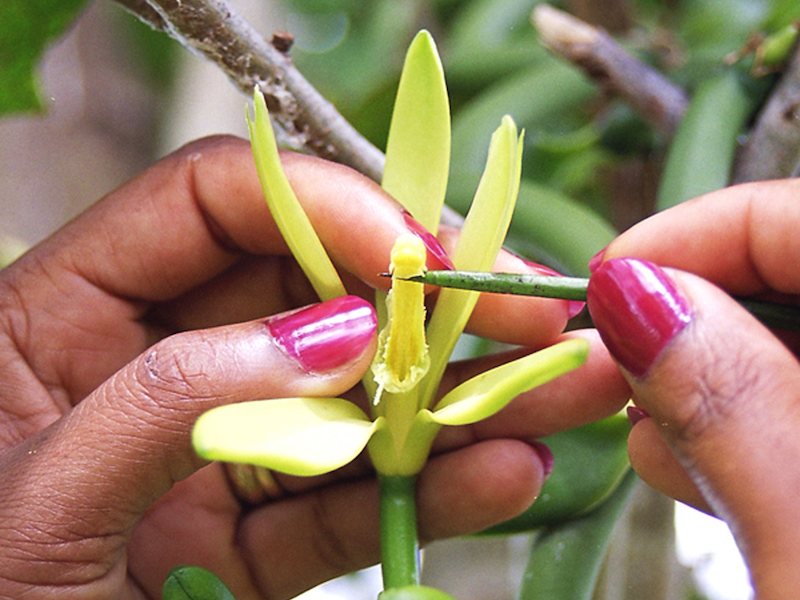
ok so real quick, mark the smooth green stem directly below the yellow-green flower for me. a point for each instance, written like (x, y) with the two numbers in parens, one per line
(398, 519)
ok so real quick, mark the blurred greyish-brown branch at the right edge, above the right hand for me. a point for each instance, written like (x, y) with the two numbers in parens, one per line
(772, 150)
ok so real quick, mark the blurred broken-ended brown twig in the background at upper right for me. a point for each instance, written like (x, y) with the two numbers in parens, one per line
(650, 93)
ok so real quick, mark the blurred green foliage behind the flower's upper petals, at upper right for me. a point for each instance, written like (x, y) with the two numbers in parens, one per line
(579, 142)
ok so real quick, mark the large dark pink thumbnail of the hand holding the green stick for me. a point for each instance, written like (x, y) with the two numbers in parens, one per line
(637, 309)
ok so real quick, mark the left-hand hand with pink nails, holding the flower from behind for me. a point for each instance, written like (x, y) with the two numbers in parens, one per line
(121, 329)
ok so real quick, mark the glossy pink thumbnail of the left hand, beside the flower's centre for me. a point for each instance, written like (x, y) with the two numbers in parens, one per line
(328, 335)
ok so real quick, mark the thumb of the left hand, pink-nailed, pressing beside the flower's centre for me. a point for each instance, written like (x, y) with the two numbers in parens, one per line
(87, 480)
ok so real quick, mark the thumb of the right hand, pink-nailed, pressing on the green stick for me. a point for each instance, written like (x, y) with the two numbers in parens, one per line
(723, 393)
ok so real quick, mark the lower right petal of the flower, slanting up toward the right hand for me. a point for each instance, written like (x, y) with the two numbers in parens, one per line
(484, 395)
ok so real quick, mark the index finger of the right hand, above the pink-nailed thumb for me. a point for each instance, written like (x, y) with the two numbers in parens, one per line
(743, 238)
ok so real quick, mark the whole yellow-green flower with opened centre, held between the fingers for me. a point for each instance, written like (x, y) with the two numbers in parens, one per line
(309, 436)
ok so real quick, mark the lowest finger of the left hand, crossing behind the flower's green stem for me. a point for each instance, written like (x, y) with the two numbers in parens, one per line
(301, 541)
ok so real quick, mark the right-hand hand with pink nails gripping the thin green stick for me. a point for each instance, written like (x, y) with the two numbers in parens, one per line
(722, 390)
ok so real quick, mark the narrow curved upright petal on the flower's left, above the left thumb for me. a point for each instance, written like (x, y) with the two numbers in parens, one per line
(292, 221)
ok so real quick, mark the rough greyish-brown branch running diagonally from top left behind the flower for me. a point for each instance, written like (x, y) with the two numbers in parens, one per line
(307, 120)
